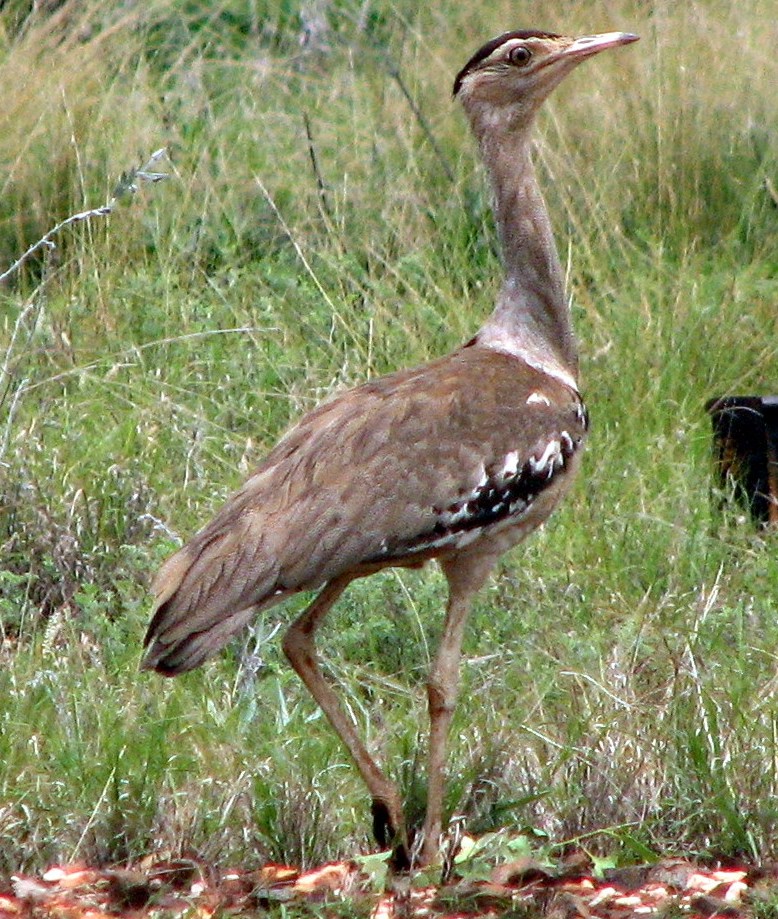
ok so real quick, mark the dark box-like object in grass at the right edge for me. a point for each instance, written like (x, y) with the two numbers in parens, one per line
(745, 452)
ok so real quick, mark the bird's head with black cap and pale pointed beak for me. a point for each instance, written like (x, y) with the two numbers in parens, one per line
(516, 71)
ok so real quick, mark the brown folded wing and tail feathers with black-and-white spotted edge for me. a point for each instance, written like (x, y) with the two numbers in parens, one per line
(410, 464)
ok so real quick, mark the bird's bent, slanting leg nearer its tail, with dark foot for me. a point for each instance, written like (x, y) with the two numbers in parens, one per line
(300, 649)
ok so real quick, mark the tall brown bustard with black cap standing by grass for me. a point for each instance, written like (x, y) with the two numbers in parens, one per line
(457, 460)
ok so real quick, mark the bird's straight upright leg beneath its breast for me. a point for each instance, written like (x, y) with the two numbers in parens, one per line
(465, 576)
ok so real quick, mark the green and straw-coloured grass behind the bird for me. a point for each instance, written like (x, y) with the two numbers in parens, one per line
(620, 669)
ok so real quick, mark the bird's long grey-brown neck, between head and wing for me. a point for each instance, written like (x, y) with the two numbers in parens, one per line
(532, 315)
